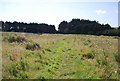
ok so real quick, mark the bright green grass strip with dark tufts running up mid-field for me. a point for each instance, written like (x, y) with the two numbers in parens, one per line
(57, 55)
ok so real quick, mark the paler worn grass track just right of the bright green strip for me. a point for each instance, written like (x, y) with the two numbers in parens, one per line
(66, 62)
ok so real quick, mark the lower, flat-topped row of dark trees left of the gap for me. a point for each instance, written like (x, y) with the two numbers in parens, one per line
(27, 27)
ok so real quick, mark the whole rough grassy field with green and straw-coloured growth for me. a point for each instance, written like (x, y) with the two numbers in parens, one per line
(58, 56)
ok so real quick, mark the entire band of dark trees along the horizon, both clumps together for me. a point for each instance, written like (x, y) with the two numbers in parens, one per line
(75, 26)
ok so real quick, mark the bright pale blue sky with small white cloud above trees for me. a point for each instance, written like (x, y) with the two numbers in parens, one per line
(55, 11)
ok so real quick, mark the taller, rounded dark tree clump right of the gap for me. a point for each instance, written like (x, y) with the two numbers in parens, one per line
(77, 26)
